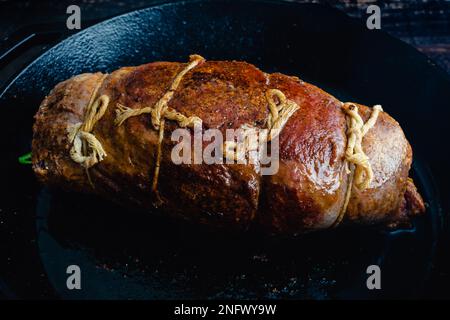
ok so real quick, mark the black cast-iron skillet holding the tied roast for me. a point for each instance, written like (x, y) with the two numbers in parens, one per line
(124, 254)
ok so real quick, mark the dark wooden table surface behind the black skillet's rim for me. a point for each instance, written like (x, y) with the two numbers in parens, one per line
(424, 24)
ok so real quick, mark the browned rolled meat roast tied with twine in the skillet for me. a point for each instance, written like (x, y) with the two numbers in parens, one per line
(339, 163)
